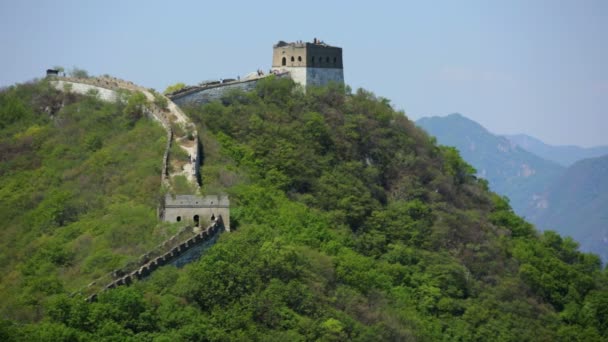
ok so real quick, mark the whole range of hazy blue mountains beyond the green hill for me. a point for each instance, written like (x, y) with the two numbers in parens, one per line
(572, 201)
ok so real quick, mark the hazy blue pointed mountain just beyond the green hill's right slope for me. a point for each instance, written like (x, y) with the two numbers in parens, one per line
(520, 175)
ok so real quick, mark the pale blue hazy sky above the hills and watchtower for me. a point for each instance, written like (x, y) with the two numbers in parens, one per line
(534, 67)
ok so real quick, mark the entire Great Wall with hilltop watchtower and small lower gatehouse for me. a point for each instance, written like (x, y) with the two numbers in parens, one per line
(308, 64)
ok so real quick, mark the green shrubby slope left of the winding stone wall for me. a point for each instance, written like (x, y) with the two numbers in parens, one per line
(79, 184)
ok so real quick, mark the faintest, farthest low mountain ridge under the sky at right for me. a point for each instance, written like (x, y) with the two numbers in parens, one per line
(563, 155)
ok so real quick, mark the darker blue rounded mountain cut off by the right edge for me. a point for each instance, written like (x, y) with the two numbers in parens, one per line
(576, 204)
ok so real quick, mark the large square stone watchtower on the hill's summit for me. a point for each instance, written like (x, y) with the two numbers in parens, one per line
(313, 63)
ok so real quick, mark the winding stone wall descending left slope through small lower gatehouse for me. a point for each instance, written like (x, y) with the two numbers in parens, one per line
(172, 119)
